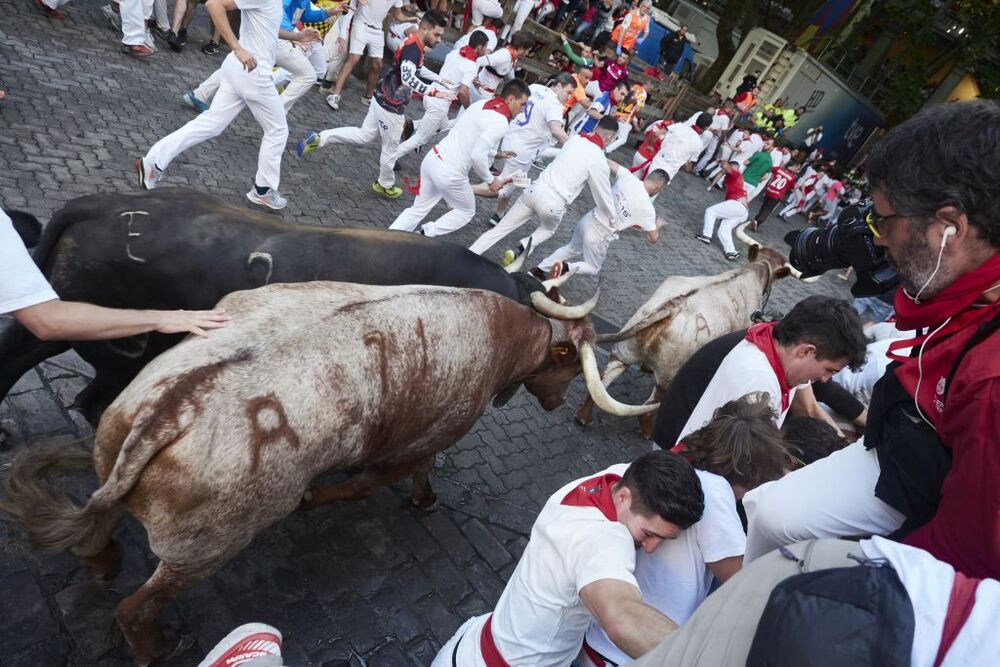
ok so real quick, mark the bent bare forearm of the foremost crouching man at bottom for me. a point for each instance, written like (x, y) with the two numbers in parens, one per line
(634, 627)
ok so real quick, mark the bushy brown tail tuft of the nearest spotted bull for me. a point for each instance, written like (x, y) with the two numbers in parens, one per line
(53, 521)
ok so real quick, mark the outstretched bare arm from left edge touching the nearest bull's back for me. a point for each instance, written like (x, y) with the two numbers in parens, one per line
(70, 320)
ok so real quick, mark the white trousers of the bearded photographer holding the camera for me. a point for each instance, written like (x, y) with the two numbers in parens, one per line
(833, 497)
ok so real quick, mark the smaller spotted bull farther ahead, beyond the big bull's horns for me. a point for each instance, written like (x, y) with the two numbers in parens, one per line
(683, 314)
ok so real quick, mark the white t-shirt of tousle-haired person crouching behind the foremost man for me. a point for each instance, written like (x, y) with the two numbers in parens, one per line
(675, 578)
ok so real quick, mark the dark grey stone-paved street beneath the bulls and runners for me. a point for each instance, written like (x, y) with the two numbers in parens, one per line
(370, 582)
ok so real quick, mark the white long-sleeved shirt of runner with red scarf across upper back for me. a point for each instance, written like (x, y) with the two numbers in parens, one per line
(472, 140)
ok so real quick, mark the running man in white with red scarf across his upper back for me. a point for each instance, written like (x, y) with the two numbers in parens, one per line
(444, 172)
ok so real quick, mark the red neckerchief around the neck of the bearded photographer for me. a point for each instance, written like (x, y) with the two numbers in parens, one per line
(955, 302)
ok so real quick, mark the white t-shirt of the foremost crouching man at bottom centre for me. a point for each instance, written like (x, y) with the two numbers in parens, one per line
(540, 619)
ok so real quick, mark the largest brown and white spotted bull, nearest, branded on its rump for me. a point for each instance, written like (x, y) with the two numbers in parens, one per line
(218, 438)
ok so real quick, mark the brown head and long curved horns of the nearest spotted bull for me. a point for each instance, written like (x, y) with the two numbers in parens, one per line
(572, 350)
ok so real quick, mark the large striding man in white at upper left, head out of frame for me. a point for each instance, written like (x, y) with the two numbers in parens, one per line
(245, 81)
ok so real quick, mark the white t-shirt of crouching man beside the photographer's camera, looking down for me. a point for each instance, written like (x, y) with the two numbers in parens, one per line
(744, 370)
